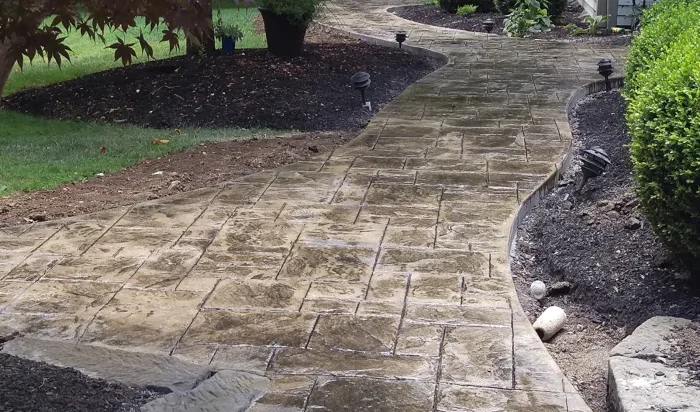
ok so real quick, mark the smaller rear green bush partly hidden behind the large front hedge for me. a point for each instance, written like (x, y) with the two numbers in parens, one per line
(661, 25)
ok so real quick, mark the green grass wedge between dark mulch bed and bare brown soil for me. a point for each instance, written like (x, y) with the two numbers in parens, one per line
(47, 153)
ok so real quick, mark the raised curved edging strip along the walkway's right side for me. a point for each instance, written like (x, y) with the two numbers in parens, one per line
(550, 183)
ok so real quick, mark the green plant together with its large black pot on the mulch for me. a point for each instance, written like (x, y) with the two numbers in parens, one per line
(286, 22)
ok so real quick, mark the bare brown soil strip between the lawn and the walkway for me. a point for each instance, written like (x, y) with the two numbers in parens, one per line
(204, 166)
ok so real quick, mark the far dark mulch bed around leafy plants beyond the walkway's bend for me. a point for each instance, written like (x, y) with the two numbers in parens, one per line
(433, 15)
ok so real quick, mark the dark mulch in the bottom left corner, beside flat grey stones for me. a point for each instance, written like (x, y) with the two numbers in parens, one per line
(27, 386)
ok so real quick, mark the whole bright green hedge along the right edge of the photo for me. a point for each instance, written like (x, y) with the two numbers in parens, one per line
(663, 114)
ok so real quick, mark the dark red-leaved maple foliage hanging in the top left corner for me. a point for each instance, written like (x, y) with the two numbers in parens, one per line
(26, 32)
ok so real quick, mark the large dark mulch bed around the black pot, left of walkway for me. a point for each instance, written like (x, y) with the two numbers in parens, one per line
(249, 89)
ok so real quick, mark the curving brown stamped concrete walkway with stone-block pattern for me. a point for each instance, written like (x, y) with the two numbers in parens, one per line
(373, 278)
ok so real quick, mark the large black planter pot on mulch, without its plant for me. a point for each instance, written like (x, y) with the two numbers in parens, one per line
(284, 39)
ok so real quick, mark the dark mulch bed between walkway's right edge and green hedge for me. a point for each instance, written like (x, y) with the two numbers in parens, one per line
(599, 242)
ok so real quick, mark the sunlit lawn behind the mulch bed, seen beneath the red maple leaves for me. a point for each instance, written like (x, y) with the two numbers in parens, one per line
(91, 57)
